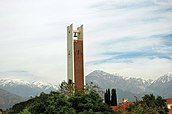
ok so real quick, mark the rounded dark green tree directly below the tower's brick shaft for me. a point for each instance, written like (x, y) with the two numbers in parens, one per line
(91, 102)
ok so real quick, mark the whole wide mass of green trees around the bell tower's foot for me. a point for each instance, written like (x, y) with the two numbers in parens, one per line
(61, 103)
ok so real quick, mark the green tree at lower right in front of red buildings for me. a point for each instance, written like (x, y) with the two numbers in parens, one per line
(149, 105)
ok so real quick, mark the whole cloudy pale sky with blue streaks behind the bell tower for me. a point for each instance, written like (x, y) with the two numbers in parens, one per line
(129, 37)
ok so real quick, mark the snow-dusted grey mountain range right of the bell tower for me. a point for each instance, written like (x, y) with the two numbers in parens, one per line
(131, 86)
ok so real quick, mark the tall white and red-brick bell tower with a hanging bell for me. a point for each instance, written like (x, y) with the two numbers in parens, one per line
(75, 60)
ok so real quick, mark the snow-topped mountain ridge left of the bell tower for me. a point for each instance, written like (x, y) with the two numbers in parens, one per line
(26, 88)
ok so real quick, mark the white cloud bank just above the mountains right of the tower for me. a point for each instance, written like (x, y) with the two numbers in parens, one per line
(141, 68)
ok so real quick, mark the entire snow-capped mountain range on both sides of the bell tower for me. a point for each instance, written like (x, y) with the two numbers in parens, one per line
(126, 87)
